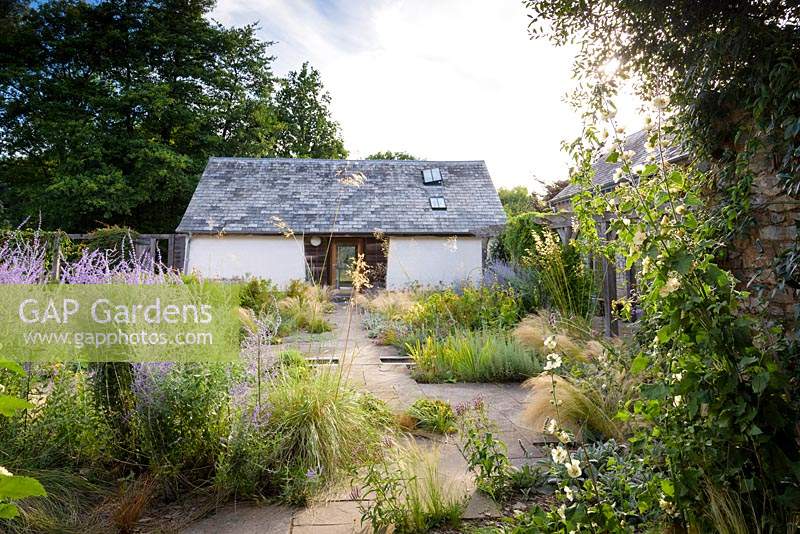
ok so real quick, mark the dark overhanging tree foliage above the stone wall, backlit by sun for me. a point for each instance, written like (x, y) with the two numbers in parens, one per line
(730, 70)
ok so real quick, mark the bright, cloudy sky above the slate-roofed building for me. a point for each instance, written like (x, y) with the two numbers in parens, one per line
(441, 79)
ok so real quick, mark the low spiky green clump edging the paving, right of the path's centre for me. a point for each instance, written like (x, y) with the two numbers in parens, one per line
(466, 356)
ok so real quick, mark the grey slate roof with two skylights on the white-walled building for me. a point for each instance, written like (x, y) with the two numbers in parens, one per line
(244, 195)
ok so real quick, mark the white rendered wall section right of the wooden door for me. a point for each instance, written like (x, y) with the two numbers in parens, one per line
(433, 261)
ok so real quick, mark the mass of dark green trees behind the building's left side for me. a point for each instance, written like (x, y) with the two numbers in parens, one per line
(109, 110)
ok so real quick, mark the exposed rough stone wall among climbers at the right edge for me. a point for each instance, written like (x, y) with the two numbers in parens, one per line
(752, 257)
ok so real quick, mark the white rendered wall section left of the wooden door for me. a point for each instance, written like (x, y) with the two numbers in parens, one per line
(278, 258)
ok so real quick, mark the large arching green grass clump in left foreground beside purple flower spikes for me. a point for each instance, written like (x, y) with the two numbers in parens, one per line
(309, 430)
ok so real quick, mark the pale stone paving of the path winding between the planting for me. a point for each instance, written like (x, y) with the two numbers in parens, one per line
(349, 345)
